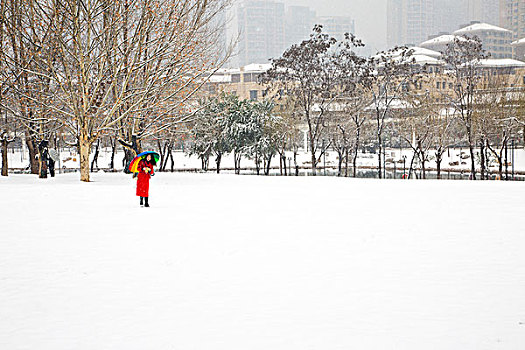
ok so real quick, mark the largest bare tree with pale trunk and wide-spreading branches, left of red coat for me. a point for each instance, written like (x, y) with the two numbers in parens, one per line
(110, 66)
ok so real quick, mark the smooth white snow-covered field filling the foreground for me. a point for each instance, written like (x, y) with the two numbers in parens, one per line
(261, 263)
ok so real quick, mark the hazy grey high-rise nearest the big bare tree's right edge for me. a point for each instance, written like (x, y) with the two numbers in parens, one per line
(261, 24)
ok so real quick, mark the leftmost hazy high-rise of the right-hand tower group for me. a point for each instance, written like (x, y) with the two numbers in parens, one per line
(409, 21)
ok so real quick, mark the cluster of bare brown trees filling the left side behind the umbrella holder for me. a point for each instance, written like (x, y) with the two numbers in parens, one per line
(90, 69)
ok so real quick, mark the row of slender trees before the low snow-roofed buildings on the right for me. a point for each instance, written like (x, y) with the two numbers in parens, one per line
(346, 102)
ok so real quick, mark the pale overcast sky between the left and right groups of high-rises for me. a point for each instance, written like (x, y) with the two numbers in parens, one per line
(369, 15)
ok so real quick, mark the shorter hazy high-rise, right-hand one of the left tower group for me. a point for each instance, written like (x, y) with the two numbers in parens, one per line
(300, 21)
